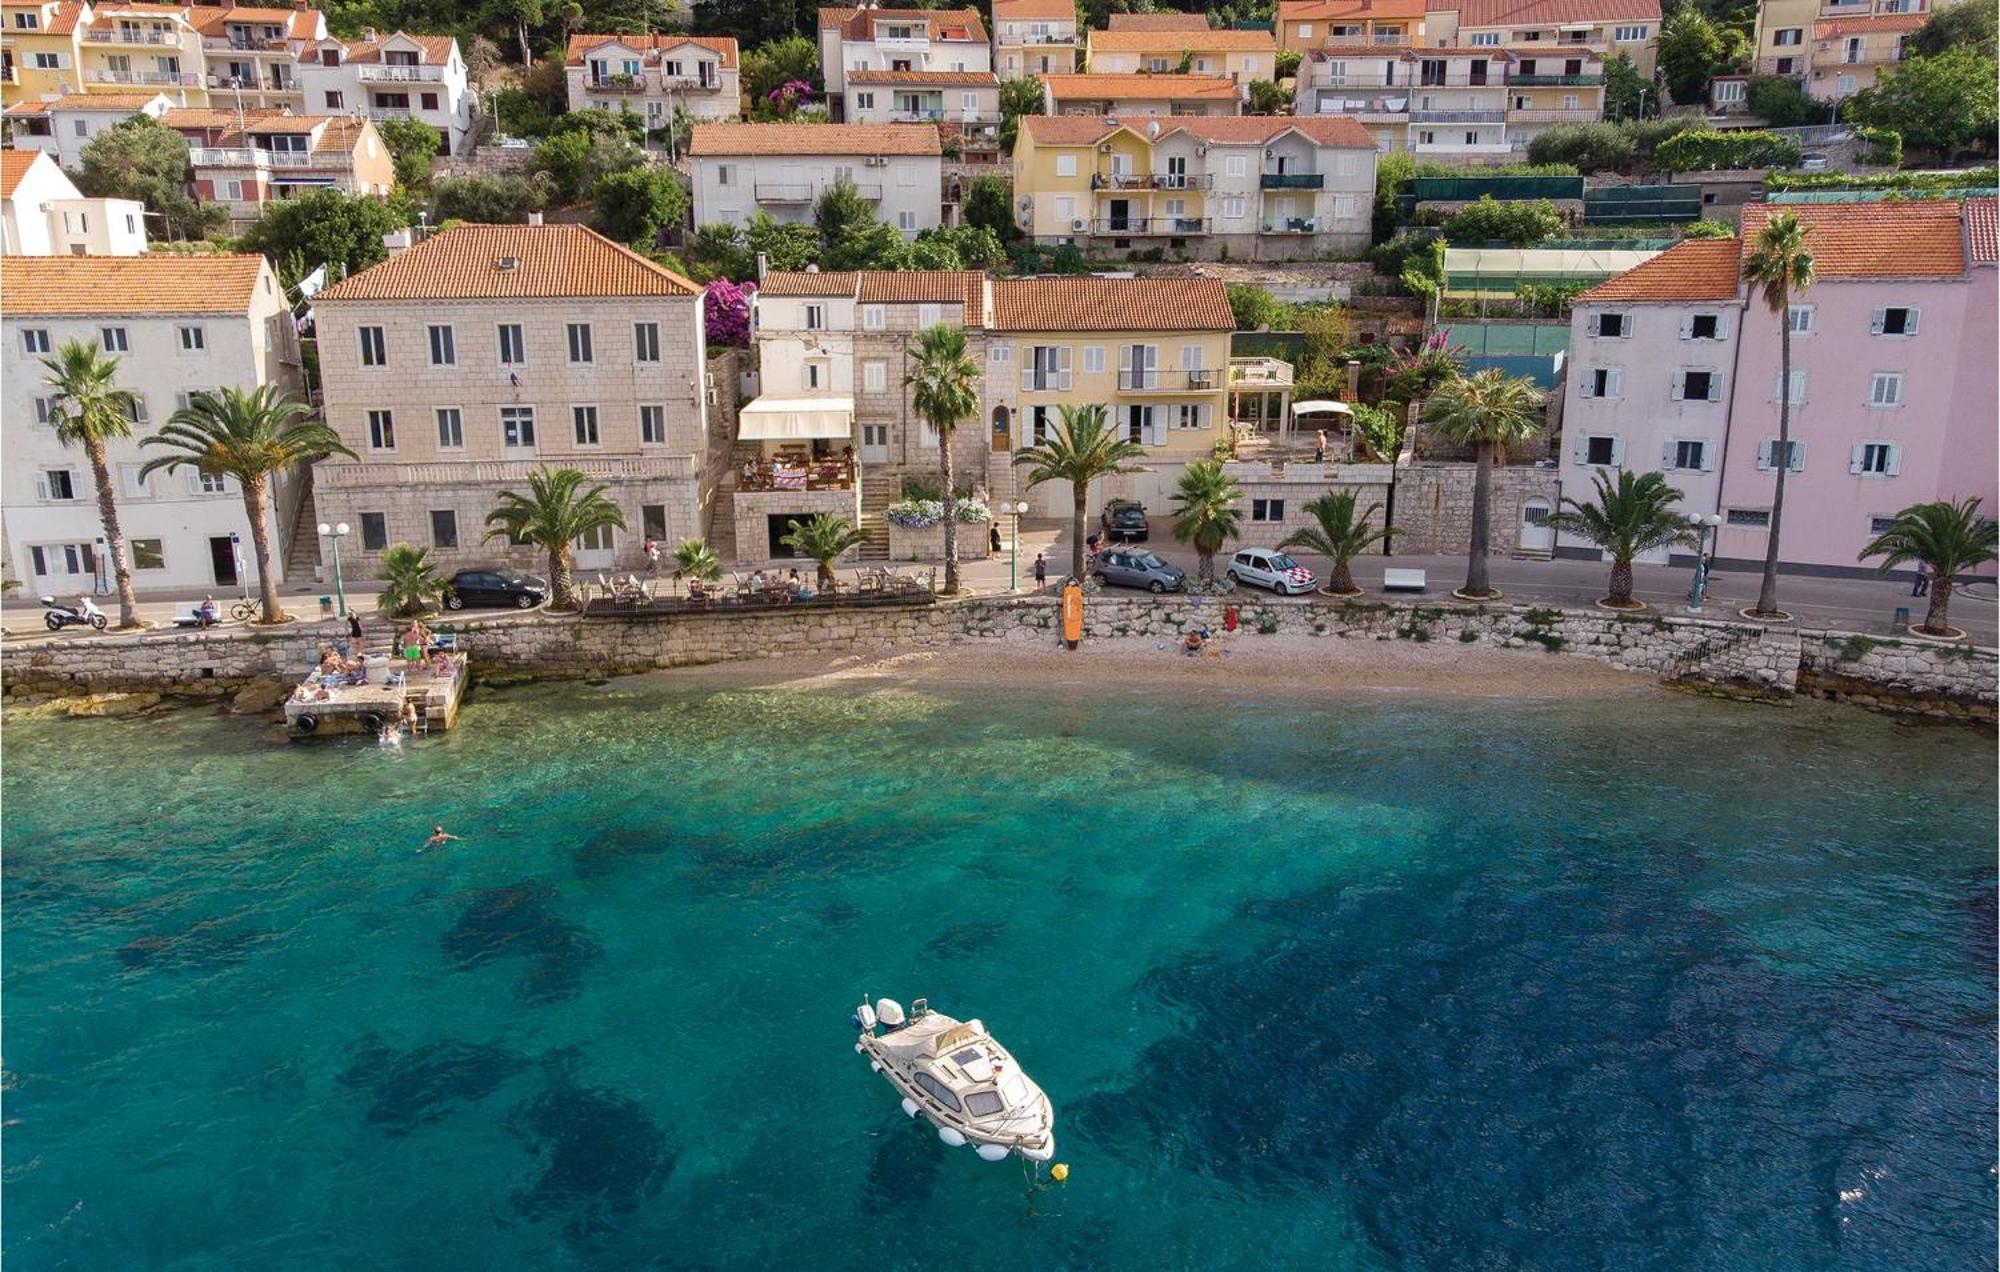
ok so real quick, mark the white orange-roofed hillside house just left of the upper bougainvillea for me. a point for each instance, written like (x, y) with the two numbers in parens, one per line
(655, 77)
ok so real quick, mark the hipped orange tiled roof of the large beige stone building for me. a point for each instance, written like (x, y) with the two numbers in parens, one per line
(557, 263)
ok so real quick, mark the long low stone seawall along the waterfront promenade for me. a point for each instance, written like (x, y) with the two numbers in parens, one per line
(1711, 655)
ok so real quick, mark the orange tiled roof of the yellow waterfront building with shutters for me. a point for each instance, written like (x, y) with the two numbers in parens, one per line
(1113, 305)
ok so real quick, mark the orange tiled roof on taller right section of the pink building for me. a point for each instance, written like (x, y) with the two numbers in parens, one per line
(1875, 241)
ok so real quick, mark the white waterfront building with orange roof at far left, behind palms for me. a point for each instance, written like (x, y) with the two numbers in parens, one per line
(177, 325)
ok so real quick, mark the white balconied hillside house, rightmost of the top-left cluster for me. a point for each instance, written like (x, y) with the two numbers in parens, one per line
(389, 79)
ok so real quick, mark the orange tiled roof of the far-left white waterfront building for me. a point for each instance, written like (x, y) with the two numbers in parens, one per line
(159, 283)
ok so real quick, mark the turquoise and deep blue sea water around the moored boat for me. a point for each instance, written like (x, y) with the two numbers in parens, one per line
(1315, 985)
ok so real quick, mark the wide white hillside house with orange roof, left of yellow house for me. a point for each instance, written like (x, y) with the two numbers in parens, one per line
(783, 169)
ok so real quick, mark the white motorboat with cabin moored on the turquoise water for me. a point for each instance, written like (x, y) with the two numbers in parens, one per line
(959, 1079)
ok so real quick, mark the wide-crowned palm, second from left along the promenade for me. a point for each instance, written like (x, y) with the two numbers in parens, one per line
(247, 437)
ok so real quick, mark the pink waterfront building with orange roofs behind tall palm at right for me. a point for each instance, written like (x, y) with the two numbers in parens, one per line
(1675, 369)
